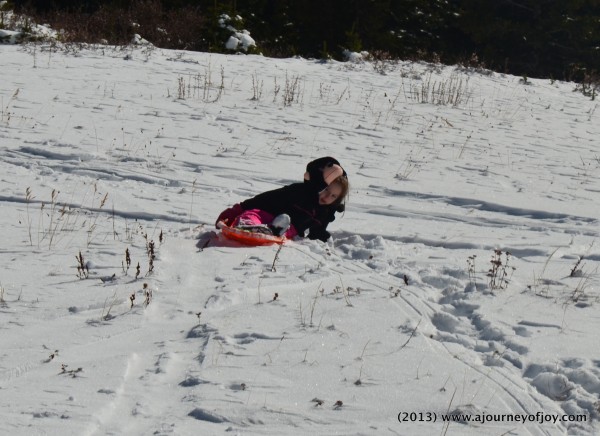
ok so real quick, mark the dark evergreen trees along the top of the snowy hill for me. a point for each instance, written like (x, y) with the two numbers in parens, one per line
(534, 38)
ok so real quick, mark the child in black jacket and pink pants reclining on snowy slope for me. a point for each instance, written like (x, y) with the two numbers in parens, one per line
(309, 206)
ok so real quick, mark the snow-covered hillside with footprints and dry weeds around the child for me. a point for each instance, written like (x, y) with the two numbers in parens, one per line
(107, 149)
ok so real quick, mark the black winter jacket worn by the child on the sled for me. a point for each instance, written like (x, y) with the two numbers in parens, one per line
(301, 202)
